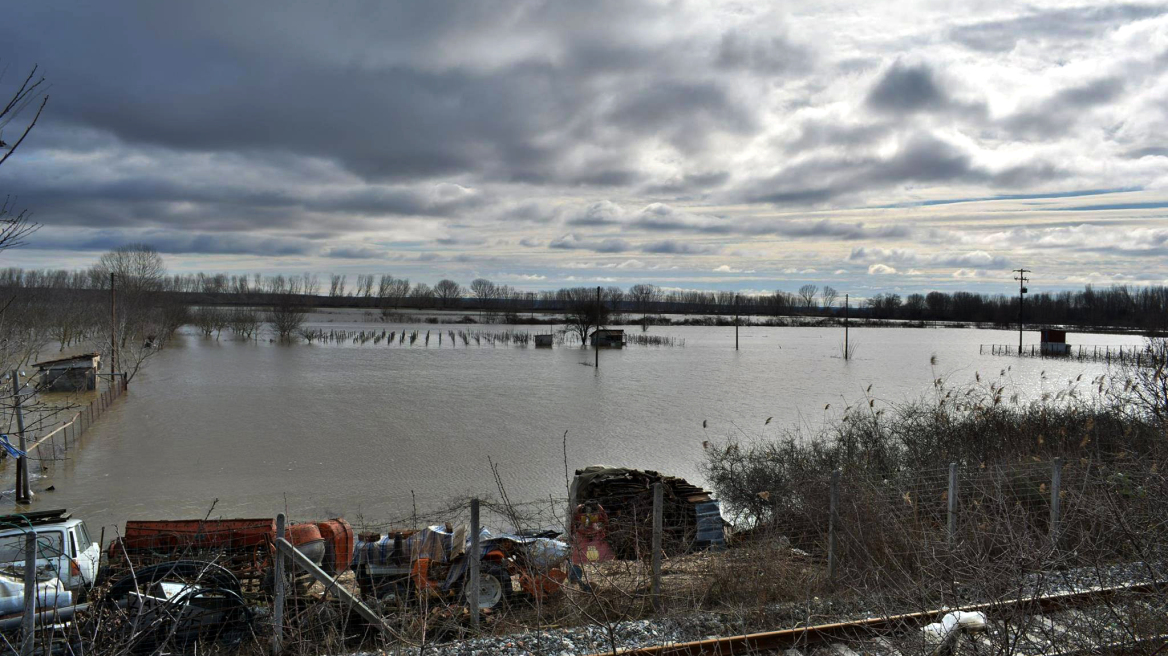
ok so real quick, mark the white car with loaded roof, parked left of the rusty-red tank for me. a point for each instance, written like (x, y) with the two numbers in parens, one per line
(65, 549)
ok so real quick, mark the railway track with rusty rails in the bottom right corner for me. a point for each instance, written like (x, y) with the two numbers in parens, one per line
(1067, 624)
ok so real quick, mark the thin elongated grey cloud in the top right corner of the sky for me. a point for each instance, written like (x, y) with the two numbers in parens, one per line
(1062, 25)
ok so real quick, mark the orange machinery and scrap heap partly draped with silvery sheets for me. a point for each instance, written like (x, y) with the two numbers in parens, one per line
(409, 566)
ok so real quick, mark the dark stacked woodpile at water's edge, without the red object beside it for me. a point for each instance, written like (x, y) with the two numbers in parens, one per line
(627, 497)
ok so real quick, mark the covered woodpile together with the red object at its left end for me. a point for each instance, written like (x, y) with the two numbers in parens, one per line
(614, 515)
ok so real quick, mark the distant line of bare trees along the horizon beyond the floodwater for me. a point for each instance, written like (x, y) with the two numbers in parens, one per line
(1114, 308)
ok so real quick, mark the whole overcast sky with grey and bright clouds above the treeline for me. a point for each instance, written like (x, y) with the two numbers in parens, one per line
(888, 146)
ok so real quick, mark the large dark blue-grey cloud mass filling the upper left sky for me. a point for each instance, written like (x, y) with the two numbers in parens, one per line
(245, 82)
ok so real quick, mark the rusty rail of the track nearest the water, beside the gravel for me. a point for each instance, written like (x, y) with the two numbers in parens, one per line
(808, 637)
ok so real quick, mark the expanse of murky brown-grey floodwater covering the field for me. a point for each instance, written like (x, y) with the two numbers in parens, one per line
(353, 429)
